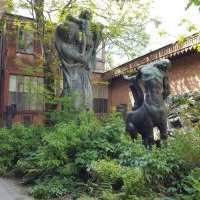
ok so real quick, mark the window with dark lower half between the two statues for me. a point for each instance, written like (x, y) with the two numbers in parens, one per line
(100, 101)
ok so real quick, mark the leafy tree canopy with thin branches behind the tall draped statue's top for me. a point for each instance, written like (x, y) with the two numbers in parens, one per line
(124, 21)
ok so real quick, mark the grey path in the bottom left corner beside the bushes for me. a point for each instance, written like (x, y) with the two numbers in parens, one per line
(10, 190)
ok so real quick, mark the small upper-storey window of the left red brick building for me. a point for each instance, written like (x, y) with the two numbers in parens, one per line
(25, 40)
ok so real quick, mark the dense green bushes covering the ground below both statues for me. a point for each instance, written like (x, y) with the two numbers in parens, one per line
(91, 159)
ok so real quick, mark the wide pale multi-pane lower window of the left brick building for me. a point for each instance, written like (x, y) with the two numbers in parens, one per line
(26, 92)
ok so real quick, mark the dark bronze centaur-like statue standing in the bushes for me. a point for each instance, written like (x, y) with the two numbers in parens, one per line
(150, 88)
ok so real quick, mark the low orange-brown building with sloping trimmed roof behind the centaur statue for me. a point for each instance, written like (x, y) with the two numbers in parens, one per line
(184, 75)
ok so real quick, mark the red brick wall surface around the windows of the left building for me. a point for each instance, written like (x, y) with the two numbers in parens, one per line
(16, 63)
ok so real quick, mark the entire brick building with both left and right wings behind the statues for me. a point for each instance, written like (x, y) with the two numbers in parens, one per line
(20, 51)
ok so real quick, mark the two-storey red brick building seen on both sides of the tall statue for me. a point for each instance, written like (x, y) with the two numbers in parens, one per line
(21, 75)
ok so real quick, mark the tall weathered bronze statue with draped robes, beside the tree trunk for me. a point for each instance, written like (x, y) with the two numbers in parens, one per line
(76, 41)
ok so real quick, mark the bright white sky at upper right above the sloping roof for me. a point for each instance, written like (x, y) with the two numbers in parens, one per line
(170, 13)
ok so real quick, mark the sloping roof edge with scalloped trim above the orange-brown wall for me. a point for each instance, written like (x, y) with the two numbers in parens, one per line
(168, 51)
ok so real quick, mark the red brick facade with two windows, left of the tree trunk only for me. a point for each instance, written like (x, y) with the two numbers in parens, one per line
(19, 56)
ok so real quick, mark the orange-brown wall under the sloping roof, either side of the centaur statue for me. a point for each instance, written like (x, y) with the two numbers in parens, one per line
(184, 76)
